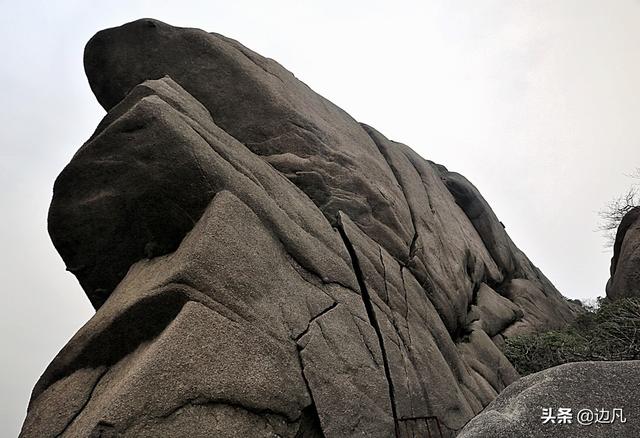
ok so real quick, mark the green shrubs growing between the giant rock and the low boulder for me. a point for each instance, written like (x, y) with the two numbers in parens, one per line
(610, 331)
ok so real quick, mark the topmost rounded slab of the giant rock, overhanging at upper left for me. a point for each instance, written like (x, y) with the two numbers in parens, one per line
(255, 100)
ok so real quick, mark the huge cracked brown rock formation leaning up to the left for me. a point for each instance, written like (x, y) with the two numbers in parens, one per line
(263, 265)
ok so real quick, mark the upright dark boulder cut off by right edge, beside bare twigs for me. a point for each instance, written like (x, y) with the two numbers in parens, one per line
(625, 264)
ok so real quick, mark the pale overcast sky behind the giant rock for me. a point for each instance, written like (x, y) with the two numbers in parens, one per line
(536, 102)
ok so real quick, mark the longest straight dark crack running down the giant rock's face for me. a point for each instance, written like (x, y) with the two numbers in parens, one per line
(373, 320)
